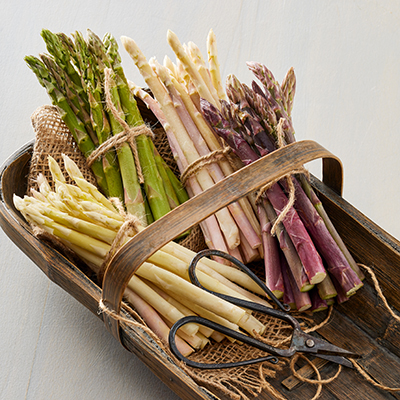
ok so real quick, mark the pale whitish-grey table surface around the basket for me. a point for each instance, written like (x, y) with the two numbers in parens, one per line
(346, 55)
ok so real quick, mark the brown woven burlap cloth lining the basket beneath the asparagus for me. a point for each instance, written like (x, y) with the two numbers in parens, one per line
(52, 137)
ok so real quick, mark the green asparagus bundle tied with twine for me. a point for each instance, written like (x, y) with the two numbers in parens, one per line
(85, 80)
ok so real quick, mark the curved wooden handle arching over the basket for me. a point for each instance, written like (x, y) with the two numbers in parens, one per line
(244, 181)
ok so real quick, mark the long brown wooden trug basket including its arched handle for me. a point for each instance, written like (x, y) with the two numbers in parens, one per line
(362, 324)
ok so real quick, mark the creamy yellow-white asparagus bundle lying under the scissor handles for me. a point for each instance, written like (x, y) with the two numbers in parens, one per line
(160, 291)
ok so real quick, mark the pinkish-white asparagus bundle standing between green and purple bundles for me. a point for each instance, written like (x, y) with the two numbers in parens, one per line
(234, 229)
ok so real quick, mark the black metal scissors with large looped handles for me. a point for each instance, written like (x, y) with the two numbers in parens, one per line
(300, 342)
